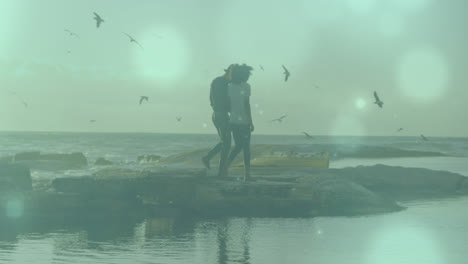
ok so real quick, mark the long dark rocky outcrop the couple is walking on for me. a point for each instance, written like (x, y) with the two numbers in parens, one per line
(285, 192)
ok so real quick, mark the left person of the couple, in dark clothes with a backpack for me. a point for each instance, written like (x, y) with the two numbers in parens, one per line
(219, 101)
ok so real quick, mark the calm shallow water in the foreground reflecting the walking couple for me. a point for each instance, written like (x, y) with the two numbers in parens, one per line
(428, 232)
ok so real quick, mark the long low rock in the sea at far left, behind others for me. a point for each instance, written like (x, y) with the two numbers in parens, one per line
(36, 160)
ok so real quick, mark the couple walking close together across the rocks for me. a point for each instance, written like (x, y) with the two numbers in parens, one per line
(230, 100)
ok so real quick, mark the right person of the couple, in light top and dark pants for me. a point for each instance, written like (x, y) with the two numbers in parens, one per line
(241, 117)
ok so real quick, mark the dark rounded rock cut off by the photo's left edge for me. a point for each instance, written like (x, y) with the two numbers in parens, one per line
(14, 178)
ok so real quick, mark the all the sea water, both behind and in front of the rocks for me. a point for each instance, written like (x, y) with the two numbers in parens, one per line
(430, 231)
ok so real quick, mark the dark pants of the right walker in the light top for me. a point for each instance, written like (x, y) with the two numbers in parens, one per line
(241, 134)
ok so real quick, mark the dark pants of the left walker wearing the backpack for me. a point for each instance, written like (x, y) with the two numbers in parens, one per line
(221, 122)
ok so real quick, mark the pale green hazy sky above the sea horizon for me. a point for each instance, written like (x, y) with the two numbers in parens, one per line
(411, 52)
